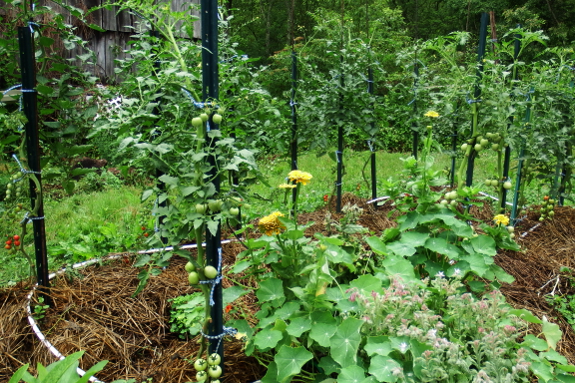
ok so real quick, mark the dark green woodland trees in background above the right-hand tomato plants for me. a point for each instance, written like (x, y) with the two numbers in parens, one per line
(262, 27)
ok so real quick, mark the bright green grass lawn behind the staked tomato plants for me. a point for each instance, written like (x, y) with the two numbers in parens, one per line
(94, 223)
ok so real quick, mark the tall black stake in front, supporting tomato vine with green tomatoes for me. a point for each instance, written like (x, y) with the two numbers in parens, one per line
(210, 92)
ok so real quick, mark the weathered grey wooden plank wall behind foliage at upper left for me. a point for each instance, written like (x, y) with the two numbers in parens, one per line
(111, 44)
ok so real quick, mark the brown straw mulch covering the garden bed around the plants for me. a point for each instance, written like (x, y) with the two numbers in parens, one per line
(94, 310)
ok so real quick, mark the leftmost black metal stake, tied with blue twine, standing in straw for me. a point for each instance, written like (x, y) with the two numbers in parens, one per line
(30, 101)
